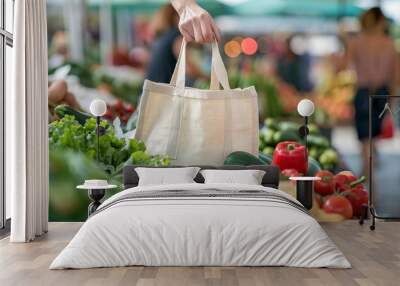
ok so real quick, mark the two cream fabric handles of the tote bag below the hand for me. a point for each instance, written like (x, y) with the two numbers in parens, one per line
(218, 71)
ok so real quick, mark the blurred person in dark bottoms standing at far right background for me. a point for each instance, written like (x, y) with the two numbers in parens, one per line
(373, 56)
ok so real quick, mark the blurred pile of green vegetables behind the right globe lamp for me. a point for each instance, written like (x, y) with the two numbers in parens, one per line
(318, 146)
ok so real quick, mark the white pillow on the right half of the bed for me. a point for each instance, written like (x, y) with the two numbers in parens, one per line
(248, 177)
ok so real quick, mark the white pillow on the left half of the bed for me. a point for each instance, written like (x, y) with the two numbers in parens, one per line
(166, 176)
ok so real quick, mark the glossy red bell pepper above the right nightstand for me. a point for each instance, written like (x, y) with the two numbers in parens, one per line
(291, 155)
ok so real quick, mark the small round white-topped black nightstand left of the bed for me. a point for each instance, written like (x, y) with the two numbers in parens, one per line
(96, 190)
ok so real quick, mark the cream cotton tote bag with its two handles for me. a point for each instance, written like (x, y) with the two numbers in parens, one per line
(195, 126)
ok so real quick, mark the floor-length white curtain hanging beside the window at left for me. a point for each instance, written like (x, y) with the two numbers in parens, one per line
(26, 119)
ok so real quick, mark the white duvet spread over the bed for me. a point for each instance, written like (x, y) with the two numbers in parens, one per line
(200, 231)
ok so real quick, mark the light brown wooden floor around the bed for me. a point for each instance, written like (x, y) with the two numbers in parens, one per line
(375, 257)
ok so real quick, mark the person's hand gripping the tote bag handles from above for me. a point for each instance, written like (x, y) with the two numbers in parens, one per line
(196, 24)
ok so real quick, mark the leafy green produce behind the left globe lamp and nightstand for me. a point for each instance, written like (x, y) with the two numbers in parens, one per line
(73, 147)
